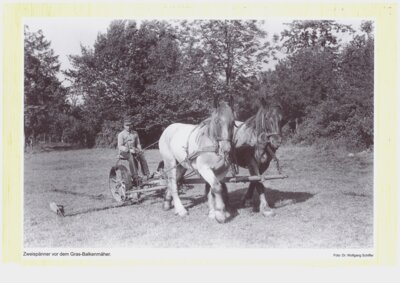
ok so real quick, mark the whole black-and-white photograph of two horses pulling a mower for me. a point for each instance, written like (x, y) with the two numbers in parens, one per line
(198, 133)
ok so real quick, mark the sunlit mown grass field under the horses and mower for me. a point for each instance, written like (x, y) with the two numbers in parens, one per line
(327, 202)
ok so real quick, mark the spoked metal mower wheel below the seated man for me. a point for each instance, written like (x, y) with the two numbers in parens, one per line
(119, 183)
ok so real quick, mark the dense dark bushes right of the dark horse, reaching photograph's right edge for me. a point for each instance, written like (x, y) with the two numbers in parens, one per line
(331, 91)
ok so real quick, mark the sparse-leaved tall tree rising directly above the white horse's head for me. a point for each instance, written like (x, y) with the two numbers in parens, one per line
(225, 52)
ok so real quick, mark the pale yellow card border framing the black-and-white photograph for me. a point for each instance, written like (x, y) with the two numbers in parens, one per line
(385, 17)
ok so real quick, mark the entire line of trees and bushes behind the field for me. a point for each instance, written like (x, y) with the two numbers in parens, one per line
(161, 72)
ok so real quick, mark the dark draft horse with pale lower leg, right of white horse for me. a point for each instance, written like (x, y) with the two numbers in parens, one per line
(255, 142)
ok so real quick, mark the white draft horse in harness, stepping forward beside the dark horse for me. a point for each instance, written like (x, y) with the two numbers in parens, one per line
(204, 148)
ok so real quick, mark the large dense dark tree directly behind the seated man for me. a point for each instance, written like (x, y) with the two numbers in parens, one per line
(114, 75)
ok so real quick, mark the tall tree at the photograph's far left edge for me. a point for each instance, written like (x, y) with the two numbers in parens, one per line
(44, 95)
